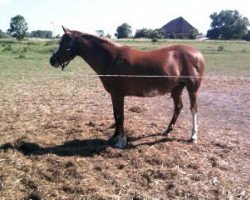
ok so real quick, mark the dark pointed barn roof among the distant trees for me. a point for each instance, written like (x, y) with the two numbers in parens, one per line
(178, 25)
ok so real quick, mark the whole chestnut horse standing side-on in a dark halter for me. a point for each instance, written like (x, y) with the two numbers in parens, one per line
(125, 71)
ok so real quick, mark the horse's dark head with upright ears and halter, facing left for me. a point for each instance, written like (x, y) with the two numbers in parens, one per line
(66, 51)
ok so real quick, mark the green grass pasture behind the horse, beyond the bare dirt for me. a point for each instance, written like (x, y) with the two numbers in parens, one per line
(29, 60)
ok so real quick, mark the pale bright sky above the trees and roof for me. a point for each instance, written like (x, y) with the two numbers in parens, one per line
(91, 15)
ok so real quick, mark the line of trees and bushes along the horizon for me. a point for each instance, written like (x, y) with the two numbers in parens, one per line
(226, 25)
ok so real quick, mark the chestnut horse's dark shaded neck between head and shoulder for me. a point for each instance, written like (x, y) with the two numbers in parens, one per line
(96, 54)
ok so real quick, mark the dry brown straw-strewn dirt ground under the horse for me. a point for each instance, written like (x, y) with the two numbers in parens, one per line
(54, 144)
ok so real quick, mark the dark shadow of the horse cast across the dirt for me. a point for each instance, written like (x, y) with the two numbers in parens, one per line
(84, 148)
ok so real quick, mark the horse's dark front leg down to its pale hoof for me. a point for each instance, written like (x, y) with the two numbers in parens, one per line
(119, 139)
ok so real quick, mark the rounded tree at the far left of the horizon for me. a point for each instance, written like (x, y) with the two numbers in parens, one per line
(18, 27)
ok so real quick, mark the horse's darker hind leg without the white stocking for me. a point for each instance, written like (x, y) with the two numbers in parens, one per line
(176, 94)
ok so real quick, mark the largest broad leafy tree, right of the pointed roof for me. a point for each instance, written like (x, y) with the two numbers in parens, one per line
(228, 24)
